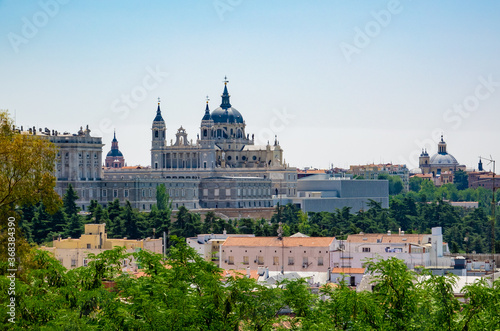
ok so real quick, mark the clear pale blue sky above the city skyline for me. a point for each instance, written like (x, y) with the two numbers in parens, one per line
(339, 82)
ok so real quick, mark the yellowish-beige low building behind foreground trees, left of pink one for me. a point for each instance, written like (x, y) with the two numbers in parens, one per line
(72, 253)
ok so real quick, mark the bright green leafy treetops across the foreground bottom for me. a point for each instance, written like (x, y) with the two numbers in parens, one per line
(184, 292)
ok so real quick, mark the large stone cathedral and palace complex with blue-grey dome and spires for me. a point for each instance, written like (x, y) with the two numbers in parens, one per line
(223, 158)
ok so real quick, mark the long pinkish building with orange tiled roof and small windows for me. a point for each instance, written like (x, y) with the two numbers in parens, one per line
(277, 254)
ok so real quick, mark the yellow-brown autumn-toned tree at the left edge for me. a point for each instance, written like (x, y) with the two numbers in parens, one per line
(27, 171)
